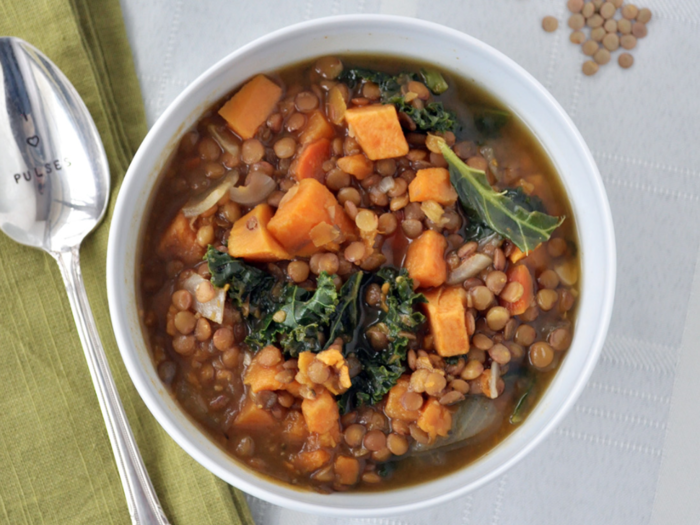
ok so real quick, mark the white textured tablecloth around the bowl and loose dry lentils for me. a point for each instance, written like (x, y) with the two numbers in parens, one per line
(628, 453)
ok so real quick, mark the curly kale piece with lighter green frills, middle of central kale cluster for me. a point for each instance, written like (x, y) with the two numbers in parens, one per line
(298, 319)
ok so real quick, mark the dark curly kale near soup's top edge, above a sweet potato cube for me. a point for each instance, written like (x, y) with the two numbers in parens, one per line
(433, 117)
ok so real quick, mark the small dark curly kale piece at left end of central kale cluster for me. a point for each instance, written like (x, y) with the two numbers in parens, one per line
(243, 279)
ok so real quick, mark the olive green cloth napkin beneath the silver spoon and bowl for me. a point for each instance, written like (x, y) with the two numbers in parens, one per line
(56, 463)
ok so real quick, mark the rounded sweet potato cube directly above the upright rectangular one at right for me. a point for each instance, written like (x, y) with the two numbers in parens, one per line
(425, 259)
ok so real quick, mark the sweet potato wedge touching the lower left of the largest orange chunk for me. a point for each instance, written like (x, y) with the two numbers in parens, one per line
(250, 239)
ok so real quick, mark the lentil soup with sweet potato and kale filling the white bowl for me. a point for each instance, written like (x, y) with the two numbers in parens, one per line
(358, 273)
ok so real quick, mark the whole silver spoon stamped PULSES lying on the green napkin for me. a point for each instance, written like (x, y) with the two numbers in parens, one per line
(54, 187)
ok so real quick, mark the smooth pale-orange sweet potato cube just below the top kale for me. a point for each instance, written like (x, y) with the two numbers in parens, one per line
(378, 131)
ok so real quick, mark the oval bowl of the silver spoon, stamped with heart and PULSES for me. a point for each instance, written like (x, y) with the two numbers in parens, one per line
(54, 175)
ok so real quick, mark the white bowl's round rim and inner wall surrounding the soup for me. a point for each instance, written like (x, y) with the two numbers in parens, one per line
(447, 49)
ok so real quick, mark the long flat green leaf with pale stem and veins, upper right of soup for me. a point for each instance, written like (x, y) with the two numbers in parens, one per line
(499, 210)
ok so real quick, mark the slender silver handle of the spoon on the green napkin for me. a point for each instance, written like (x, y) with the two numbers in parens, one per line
(141, 498)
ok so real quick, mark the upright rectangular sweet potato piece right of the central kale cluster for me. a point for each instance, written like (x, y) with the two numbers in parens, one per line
(445, 310)
